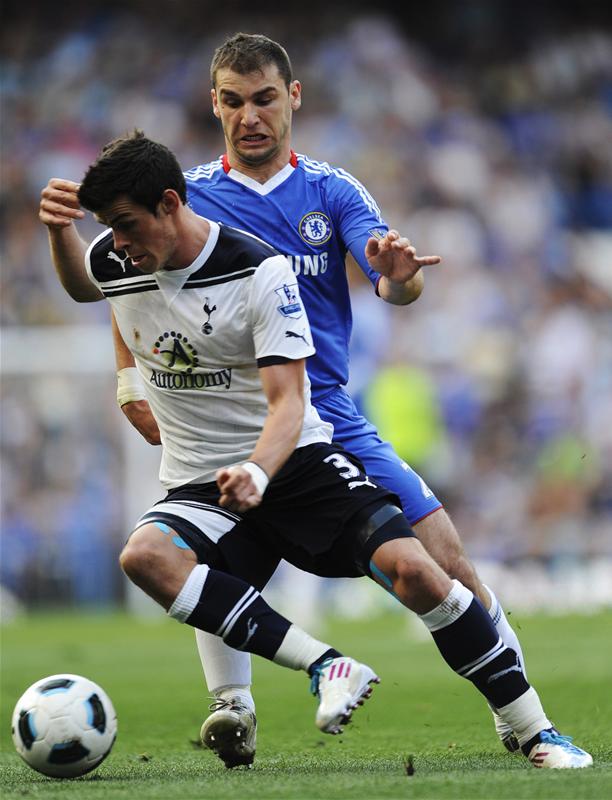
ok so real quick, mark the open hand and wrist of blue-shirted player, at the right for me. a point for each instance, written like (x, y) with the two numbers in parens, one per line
(395, 258)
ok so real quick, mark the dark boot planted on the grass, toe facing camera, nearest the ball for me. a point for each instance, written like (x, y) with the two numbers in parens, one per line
(231, 732)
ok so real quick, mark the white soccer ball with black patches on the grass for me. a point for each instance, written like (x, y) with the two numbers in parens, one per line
(64, 726)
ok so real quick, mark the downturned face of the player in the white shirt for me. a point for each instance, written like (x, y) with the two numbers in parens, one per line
(149, 240)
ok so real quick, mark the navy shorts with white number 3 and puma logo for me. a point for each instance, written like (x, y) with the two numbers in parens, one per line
(313, 514)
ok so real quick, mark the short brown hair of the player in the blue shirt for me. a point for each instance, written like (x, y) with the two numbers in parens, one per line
(251, 52)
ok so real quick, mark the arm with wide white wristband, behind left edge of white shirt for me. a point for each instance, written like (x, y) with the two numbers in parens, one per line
(130, 390)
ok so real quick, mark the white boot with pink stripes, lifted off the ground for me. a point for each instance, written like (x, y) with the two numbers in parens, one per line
(341, 684)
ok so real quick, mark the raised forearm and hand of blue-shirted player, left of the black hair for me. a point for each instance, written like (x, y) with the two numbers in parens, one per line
(59, 209)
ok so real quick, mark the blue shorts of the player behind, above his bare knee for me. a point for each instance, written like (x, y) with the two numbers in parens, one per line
(360, 437)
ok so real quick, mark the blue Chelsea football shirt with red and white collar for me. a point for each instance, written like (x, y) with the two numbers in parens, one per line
(313, 213)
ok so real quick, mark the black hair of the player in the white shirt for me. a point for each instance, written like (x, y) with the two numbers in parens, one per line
(136, 167)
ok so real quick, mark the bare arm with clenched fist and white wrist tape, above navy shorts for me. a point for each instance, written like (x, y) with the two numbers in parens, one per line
(242, 487)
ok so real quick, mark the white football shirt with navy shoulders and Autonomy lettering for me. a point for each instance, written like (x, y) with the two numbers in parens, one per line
(199, 336)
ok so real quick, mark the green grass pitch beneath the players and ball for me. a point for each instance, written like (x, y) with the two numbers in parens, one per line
(420, 711)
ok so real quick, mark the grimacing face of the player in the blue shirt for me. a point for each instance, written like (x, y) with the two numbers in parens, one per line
(255, 112)
